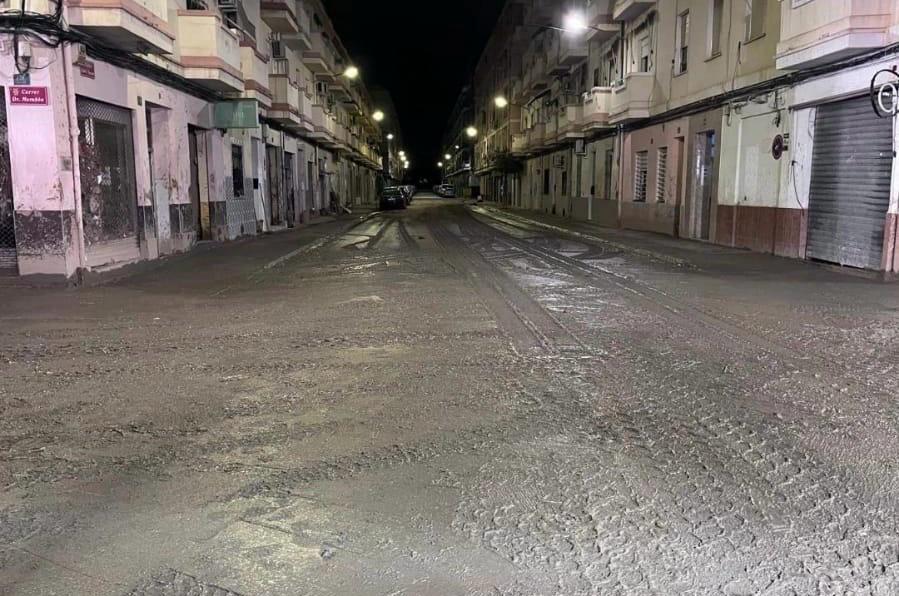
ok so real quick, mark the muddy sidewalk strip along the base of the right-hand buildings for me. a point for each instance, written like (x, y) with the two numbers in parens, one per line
(702, 256)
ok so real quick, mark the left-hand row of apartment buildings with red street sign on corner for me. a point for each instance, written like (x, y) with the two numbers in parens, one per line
(159, 123)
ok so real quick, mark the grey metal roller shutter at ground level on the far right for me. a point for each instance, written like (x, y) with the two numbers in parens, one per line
(850, 185)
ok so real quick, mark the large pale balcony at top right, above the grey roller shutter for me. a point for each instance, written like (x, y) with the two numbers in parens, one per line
(819, 32)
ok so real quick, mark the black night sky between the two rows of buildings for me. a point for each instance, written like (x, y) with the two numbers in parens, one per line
(422, 52)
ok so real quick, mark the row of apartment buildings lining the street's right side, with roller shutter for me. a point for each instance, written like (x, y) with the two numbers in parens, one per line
(744, 123)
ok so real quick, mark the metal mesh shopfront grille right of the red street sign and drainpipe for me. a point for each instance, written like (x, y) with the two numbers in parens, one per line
(108, 193)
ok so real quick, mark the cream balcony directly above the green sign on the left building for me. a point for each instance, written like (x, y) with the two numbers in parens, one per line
(210, 53)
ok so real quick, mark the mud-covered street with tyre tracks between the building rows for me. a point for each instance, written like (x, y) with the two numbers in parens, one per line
(450, 400)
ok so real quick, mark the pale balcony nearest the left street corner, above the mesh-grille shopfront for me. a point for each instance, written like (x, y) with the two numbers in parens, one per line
(133, 26)
